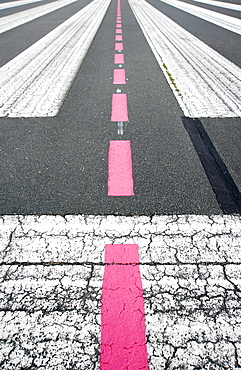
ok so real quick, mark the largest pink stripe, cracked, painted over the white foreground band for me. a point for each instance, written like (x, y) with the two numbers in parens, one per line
(123, 332)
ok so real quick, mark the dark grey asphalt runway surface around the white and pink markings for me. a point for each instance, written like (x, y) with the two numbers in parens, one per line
(59, 165)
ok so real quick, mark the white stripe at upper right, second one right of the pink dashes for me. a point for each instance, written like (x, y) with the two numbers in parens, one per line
(222, 20)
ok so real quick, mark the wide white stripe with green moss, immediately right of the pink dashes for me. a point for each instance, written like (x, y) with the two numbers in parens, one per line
(209, 83)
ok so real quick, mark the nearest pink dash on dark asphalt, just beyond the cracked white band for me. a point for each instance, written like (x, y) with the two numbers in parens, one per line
(120, 180)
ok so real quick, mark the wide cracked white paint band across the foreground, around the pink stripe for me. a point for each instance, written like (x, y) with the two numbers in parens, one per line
(50, 288)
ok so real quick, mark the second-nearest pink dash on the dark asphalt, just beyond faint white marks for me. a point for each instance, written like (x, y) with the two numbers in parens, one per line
(119, 110)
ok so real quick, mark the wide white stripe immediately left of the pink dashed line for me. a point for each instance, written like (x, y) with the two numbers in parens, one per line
(35, 83)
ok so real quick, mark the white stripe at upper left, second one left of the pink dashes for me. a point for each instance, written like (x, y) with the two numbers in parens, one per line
(17, 19)
